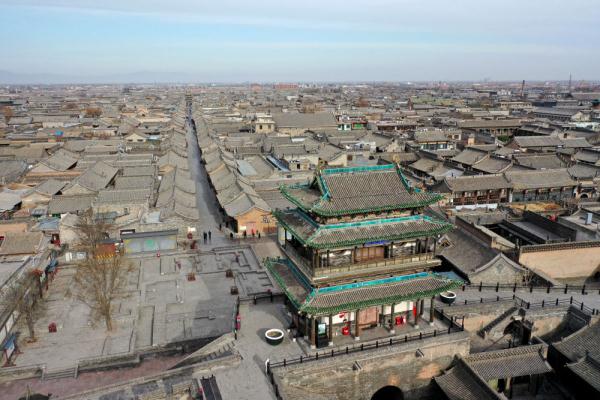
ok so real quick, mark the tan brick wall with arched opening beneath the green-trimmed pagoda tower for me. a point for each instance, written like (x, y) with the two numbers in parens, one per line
(398, 366)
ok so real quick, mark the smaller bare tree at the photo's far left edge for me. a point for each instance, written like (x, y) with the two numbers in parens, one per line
(20, 296)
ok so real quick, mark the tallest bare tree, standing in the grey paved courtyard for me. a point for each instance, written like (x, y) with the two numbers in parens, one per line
(101, 278)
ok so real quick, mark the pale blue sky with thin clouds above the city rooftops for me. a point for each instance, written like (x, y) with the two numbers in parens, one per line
(50, 41)
